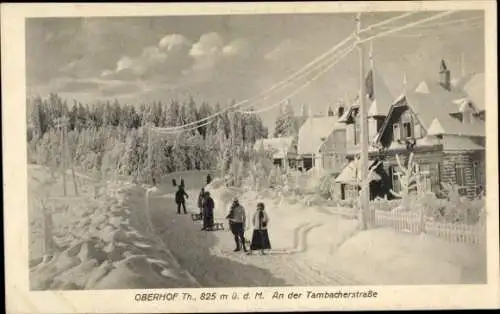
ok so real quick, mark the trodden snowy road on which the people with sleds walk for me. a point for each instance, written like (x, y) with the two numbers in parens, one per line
(207, 256)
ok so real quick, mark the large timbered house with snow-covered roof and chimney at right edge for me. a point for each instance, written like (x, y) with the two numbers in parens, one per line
(444, 127)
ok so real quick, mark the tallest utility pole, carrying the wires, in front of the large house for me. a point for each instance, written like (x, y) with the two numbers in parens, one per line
(364, 195)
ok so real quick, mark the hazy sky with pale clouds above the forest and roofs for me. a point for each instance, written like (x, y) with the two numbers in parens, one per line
(220, 58)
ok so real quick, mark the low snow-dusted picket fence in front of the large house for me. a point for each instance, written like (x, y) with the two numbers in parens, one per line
(414, 223)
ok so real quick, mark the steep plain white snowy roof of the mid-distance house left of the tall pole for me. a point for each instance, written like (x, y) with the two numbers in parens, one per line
(314, 131)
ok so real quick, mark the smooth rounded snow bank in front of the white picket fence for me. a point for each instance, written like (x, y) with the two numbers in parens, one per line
(383, 256)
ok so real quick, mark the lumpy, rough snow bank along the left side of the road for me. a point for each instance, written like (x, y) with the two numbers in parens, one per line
(96, 247)
